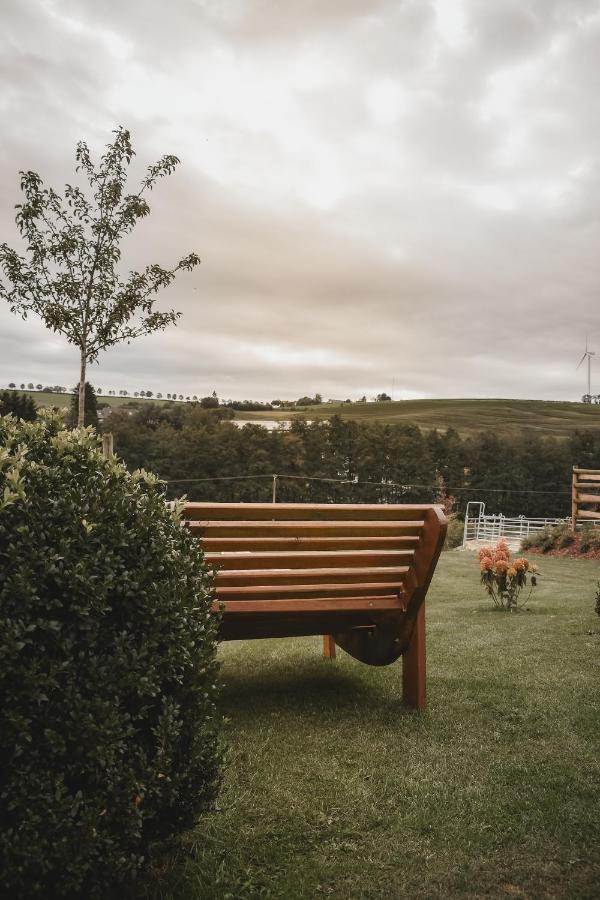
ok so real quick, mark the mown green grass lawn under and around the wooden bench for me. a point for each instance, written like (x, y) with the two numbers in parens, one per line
(334, 789)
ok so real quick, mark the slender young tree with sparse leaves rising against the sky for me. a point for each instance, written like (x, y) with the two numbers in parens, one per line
(70, 276)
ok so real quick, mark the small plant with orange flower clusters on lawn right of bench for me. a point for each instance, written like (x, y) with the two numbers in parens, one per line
(505, 578)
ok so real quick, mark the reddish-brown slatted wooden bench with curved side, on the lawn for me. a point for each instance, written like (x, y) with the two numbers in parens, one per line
(357, 574)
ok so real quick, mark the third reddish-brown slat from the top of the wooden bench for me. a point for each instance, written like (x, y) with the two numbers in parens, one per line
(225, 544)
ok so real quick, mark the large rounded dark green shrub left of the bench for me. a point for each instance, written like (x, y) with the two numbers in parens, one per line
(107, 667)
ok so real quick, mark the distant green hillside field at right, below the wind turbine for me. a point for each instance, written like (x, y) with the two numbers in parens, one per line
(552, 418)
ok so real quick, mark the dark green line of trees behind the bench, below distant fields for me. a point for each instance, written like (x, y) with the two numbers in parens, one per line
(201, 453)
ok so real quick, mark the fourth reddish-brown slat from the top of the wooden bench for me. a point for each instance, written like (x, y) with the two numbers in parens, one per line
(308, 559)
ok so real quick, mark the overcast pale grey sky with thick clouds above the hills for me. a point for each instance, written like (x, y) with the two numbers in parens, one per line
(381, 193)
